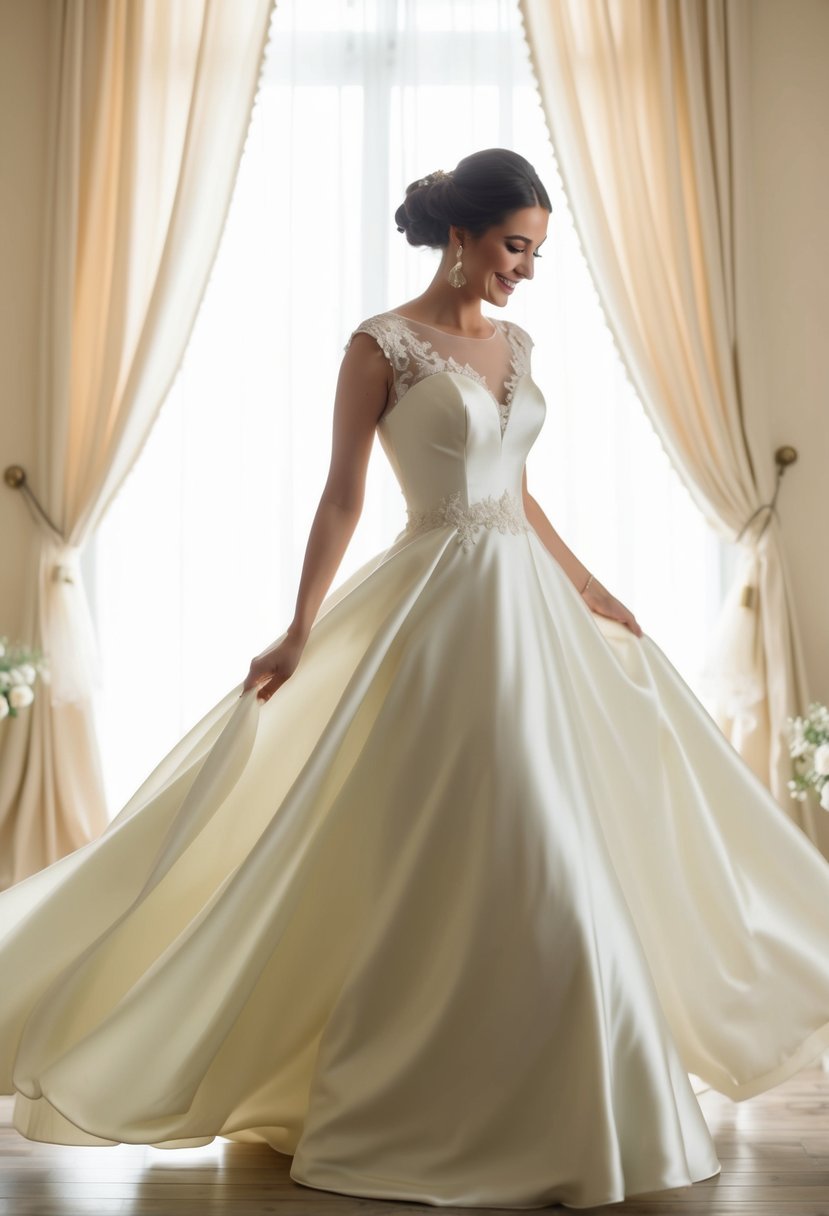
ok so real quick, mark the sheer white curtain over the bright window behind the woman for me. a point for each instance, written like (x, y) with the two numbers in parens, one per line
(198, 564)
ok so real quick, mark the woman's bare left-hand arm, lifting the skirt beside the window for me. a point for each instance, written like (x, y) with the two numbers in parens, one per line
(363, 389)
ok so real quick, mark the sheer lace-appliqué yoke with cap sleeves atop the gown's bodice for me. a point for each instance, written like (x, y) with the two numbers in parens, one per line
(416, 351)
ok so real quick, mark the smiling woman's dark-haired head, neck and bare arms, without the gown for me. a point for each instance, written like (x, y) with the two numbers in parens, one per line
(492, 263)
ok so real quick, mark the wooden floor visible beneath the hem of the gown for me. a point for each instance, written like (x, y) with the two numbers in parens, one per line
(775, 1153)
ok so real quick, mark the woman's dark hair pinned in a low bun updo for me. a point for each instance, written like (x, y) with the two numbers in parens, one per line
(477, 195)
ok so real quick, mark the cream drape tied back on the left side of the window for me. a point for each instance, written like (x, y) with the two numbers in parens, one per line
(149, 117)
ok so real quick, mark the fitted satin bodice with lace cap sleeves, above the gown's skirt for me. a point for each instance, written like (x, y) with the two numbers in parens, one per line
(463, 415)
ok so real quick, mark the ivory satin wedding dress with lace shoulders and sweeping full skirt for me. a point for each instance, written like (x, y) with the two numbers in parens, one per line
(455, 915)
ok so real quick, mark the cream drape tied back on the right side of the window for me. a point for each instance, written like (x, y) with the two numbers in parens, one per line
(648, 110)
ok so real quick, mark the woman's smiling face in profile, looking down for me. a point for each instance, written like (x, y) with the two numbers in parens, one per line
(501, 258)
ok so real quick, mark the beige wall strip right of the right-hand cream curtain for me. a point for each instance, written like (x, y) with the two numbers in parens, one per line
(791, 92)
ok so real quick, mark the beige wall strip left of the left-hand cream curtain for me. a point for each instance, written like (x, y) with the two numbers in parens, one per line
(25, 87)
